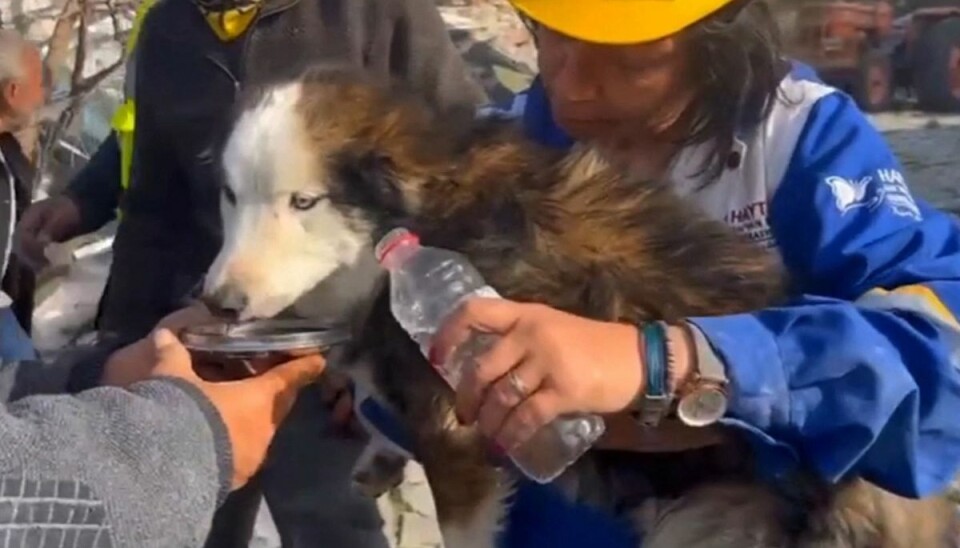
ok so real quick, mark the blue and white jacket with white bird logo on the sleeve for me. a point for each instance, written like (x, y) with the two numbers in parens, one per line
(859, 374)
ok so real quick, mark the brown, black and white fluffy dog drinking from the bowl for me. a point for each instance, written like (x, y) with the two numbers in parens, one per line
(318, 169)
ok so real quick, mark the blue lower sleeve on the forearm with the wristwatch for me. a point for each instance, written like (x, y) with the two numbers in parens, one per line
(851, 391)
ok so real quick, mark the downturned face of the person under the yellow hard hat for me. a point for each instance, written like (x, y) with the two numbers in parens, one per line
(613, 95)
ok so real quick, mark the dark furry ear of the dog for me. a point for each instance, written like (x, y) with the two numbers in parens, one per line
(368, 181)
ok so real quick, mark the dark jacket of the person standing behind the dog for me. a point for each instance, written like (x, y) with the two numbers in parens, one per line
(187, 82)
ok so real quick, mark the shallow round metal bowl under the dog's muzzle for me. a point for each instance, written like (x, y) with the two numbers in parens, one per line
(250, 348)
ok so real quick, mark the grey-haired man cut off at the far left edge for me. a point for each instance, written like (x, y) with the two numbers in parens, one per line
(22, 93)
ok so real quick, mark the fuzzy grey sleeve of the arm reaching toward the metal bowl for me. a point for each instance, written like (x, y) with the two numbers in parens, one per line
(143, 467)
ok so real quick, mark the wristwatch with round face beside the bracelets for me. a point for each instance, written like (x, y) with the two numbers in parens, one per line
(703, 400)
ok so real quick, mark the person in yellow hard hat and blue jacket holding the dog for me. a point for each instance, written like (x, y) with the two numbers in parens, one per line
(857, 375)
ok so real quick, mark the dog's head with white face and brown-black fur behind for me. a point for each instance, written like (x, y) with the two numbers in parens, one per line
(310, 182)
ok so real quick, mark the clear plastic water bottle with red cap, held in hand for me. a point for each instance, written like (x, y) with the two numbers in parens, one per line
(426, 285)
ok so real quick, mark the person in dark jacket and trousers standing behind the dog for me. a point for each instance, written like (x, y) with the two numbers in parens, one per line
(193, 59)
